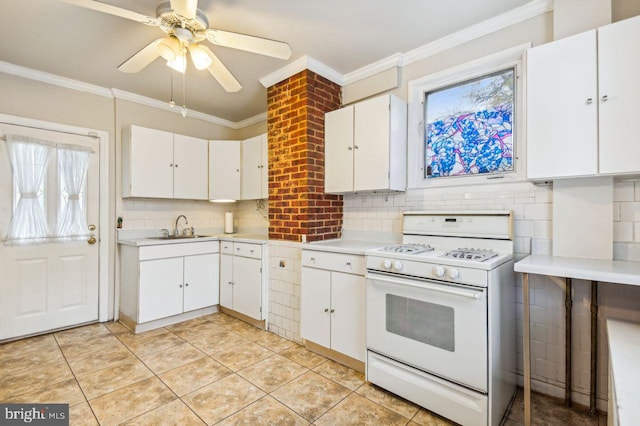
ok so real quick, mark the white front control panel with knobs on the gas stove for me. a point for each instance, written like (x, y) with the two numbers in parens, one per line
(458, 274)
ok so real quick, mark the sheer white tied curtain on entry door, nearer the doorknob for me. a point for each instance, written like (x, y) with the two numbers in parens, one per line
(72, 171)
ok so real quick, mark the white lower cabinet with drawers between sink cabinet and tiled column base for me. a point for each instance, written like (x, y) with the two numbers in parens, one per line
(242, 281)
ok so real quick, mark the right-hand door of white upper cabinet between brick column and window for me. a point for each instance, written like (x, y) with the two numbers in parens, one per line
(371, 144)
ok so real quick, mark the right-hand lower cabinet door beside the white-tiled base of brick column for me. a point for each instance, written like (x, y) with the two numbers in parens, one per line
(247, 286)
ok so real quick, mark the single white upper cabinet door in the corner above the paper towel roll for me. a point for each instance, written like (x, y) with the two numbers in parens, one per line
(224, 170)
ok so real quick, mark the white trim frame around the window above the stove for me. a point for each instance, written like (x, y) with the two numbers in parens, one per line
(510, 58)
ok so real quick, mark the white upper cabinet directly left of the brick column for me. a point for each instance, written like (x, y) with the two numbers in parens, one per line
(255, 168)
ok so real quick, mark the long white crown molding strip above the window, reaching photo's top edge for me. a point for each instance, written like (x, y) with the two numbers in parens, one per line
(504, 20)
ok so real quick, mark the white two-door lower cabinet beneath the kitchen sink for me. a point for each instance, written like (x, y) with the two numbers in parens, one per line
(163, 281)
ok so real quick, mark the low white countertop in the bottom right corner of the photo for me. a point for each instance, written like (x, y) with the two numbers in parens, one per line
(624, 355)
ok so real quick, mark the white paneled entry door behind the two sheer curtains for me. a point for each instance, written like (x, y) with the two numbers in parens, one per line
(47, 286)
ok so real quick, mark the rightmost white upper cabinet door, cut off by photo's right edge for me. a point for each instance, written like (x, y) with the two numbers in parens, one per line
(619, 103)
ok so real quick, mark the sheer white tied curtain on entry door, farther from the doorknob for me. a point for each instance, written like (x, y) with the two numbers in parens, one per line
(28, 158)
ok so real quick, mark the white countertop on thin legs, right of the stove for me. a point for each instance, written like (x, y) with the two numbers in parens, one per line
(611, 271)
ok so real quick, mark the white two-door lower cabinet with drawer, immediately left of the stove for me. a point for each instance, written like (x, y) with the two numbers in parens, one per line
(333, 302)
